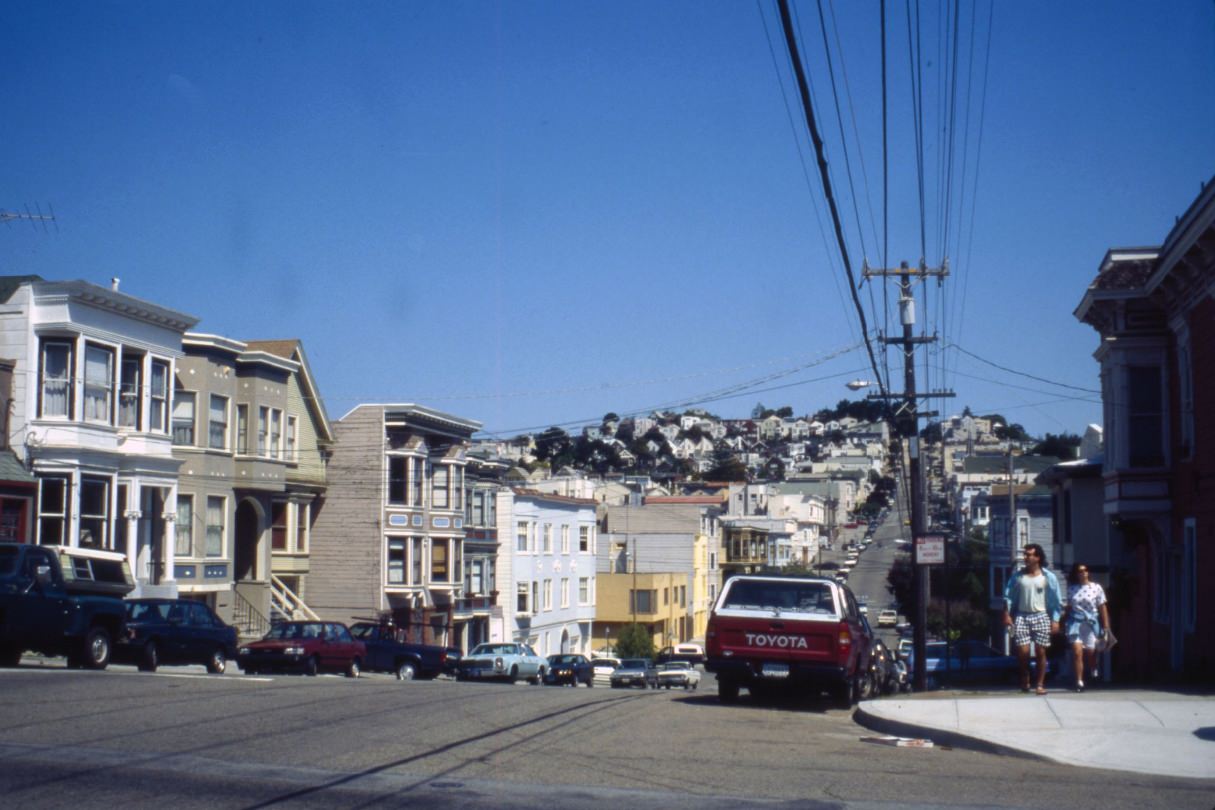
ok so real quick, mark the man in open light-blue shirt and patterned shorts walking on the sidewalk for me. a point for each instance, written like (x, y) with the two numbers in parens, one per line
(1032, 608)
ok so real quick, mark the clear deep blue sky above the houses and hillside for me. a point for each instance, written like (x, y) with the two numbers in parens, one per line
(536, 213)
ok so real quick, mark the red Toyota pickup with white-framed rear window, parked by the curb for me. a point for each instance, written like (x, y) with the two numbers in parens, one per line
(793, 633)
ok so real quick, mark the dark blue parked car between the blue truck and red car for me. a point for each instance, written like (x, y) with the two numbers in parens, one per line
(174, 632)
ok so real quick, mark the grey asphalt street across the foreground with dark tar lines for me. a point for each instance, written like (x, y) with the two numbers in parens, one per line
(183, 739)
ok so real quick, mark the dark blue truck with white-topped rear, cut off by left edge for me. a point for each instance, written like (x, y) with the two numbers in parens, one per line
(61, 602)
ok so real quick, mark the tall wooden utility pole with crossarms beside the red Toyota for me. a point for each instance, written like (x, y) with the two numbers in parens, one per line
(908, 418)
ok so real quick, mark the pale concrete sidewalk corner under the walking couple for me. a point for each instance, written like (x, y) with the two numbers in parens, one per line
(1168, 734)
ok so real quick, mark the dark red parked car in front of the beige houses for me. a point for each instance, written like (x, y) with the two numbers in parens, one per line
(308, 648)
